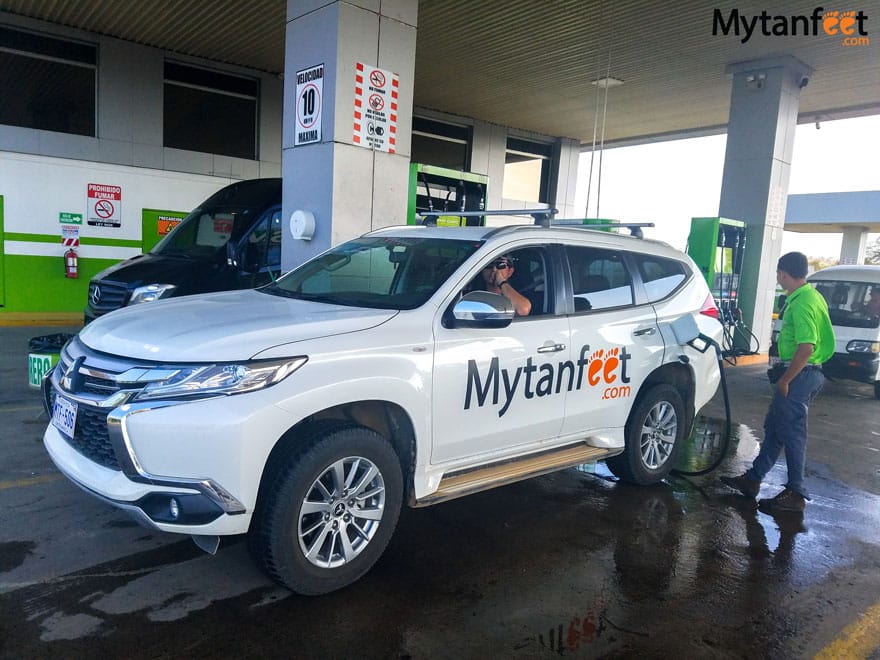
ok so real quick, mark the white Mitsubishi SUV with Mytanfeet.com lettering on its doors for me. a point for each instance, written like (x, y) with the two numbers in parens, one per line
(305, 413)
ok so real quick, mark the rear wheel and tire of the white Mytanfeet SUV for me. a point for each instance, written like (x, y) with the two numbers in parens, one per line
(654, 434)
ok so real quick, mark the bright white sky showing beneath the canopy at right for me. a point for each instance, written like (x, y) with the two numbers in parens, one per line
(669, 183)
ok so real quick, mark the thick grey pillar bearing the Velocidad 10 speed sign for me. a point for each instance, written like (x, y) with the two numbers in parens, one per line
(348, 188)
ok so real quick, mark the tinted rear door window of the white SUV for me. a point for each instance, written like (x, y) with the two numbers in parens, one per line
(599, 277)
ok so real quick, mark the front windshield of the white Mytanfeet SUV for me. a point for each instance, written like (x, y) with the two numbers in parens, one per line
(378, 272)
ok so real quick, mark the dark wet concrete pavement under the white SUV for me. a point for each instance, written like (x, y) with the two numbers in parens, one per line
(572, 564)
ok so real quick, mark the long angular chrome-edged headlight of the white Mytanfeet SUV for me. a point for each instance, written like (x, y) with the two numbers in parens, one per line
(206, 380)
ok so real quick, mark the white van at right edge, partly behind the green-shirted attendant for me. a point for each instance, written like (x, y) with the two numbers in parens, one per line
(853, 296)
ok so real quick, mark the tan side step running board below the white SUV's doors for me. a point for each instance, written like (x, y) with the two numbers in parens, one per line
(500, 474)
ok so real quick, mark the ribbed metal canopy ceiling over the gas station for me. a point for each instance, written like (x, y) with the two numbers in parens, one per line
(534, 64)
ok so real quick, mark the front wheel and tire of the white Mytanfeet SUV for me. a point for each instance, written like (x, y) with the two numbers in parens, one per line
(329, 512)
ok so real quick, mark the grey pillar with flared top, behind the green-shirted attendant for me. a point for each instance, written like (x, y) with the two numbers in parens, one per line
(760, 138)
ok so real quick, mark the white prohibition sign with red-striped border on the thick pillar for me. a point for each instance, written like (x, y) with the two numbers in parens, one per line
(375, 108)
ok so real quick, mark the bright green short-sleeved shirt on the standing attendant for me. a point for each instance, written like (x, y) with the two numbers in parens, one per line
(806, 322)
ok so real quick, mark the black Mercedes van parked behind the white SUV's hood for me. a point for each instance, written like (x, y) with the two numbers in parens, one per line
(230, 241)
